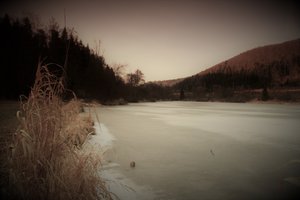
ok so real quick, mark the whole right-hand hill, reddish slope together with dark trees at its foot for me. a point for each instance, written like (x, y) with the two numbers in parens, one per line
(274, 67)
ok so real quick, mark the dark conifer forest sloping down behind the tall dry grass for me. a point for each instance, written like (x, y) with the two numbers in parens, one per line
(87, 73)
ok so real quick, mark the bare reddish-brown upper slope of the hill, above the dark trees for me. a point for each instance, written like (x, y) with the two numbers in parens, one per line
(248, 60)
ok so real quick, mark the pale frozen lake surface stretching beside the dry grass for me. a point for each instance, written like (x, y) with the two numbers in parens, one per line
(196, 150)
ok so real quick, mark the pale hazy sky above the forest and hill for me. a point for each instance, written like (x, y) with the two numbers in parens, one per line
(168, 39)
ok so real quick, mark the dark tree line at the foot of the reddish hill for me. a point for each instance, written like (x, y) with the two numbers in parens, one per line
(223, 82)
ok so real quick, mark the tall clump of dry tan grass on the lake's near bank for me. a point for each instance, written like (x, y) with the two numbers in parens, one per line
(46, 160)
